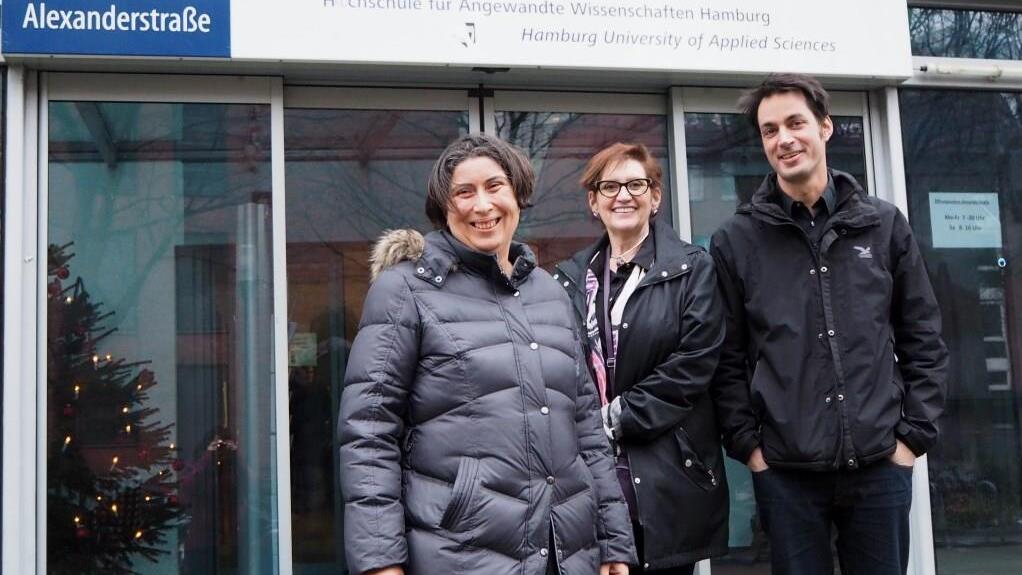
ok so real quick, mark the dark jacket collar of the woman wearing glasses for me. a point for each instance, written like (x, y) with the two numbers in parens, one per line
(673, 259)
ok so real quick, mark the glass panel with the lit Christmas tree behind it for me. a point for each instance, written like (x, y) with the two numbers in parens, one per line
(160, 416)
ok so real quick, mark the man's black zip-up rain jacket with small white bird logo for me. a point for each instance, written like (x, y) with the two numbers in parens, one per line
(833, 352)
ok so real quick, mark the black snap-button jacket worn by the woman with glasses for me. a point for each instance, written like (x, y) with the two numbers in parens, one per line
(672, 330)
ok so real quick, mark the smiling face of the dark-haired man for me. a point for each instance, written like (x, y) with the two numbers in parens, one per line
(795, 140)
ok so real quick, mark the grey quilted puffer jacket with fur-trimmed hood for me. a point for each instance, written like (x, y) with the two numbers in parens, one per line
(471, 438)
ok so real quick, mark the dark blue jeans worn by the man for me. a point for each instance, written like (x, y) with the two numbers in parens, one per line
(869, 507)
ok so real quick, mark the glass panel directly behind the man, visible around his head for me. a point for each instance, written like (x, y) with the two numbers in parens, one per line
(726, 167)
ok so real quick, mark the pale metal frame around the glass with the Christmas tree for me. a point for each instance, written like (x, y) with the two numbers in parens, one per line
(25, 444)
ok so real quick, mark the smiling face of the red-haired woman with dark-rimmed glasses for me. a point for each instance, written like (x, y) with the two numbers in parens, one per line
(625, 215)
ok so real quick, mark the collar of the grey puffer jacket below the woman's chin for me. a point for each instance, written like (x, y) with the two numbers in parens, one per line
(444, 254)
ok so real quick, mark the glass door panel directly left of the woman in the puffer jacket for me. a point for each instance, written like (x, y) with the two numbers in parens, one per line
(351, 175)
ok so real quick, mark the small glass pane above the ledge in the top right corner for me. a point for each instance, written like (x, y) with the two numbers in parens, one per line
(966, 34)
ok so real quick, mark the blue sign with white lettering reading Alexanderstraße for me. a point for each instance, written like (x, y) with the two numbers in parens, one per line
(119, 28)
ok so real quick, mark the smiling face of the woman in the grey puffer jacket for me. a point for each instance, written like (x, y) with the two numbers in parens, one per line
(484, 211)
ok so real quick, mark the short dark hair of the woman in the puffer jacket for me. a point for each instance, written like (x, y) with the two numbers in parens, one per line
(513, 161)
